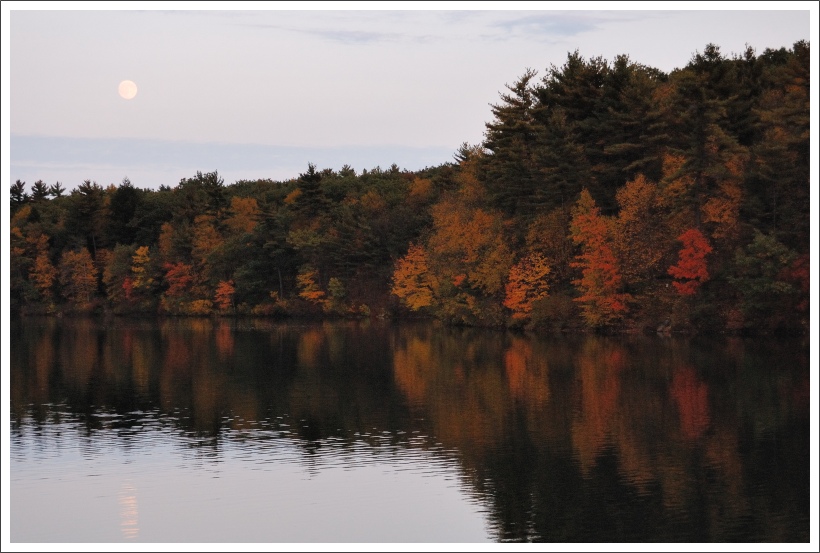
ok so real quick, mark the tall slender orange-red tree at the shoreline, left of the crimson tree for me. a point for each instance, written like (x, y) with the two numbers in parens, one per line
(601, 299)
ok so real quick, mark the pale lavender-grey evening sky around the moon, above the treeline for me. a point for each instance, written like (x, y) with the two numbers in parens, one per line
(260, 93)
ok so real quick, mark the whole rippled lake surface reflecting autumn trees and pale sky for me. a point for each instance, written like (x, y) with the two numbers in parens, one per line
(255, 431)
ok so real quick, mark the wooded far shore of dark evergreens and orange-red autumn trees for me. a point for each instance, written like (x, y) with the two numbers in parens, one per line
(604, 196)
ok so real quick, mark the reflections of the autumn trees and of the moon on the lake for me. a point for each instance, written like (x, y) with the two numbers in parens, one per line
(565, 439)
